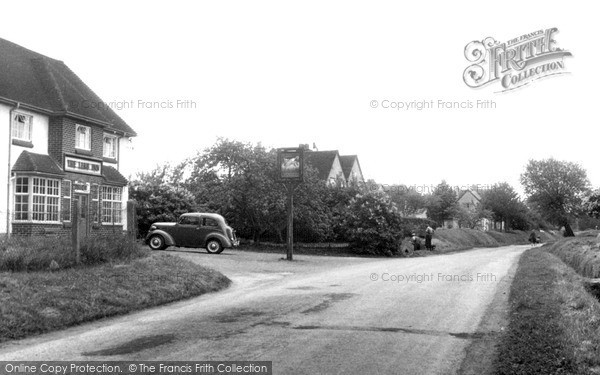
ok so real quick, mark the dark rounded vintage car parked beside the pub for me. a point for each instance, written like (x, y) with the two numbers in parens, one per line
(193, 230)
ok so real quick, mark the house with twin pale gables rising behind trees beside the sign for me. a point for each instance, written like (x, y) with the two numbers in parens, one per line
(335, 169)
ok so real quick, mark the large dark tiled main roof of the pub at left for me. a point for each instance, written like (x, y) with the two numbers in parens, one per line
(47, 84)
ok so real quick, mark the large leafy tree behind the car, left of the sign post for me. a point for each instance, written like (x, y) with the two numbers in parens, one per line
(236, 180)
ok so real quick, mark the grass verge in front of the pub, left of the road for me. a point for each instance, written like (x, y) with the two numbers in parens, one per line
(37, 302)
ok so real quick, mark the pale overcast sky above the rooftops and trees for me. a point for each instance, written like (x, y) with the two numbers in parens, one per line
(285, 73)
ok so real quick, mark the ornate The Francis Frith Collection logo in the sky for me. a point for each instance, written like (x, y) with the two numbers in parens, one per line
(515, 63)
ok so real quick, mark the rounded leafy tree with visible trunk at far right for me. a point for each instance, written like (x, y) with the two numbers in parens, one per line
(556, 188)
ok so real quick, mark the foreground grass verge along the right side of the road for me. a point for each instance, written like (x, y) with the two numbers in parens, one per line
(554, 323)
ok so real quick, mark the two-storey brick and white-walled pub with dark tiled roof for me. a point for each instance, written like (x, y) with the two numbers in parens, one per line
(63, 145)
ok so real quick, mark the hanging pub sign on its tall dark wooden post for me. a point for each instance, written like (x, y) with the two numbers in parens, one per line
(290, 164)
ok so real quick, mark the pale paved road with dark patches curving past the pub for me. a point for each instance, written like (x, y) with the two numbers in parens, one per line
(319, 315)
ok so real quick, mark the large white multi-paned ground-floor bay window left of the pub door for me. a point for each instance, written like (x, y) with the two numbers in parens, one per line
(43, 200)
